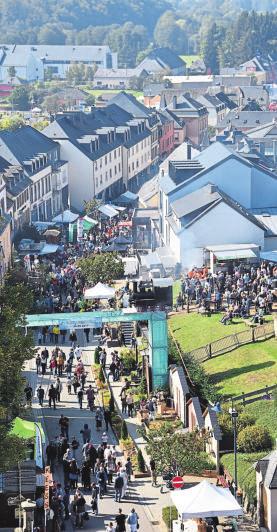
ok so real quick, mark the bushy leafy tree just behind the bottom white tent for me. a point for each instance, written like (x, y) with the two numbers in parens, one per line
(181, 451)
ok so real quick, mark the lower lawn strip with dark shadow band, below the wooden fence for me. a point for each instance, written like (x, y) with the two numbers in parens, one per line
(245, 369)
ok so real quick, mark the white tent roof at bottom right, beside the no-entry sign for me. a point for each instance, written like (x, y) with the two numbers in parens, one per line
(205, 500)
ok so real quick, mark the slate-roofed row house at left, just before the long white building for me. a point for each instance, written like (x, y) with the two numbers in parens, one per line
(37, 179)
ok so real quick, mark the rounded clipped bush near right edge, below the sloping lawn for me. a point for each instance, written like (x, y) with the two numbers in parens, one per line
(252, 439)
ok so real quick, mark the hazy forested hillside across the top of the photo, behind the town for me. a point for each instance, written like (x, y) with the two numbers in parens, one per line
(221, 30)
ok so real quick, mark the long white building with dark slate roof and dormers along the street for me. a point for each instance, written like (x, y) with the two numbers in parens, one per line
(108, 151)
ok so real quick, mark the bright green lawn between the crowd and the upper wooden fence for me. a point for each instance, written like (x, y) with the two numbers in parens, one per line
(193, 330)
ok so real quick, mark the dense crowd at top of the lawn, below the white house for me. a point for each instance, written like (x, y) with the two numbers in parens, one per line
(236, 292)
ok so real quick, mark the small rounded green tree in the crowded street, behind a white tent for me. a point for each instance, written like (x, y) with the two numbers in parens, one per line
(105, 267)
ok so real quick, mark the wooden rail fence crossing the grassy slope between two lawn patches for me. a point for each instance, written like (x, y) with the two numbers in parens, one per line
(224, 345)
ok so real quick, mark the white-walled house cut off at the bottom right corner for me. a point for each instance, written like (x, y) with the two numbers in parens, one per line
(266, 482)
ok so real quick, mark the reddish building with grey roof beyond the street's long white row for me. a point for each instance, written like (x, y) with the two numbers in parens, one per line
(195, 116)
